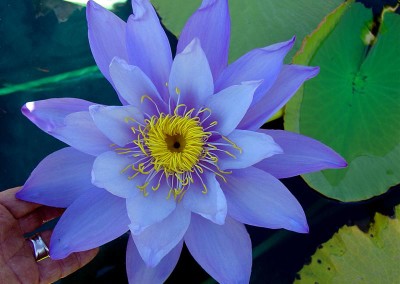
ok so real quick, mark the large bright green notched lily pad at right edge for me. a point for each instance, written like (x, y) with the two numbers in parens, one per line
(353, 104)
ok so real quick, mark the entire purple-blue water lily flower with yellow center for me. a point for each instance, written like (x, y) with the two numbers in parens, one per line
(183, 159)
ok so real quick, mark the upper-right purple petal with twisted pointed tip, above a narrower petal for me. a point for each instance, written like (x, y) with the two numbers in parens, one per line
(258, 64)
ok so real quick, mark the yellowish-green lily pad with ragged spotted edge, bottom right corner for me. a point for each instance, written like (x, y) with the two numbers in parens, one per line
(352, 256)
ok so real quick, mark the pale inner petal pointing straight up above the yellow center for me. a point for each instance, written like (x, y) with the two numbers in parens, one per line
(191, 81)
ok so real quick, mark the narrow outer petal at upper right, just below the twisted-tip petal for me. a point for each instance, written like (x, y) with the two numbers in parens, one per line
(289, 81)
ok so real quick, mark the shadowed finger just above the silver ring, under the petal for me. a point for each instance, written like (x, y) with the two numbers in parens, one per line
(38, 217)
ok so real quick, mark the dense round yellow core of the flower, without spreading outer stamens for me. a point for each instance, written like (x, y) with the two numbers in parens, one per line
(175, 142)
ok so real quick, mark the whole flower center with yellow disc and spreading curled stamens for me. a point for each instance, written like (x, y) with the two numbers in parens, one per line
(174, 148)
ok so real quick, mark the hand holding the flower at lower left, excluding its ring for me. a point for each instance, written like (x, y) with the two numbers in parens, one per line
(17, 263)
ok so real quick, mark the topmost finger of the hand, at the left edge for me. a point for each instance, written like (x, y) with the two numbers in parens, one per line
(18, 208)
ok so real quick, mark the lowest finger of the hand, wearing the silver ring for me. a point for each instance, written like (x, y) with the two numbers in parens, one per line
(52, 270)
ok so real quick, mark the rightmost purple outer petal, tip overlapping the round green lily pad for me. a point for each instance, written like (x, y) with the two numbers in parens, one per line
(301, 155)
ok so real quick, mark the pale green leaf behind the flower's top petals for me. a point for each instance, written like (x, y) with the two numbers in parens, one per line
(255, 23)
